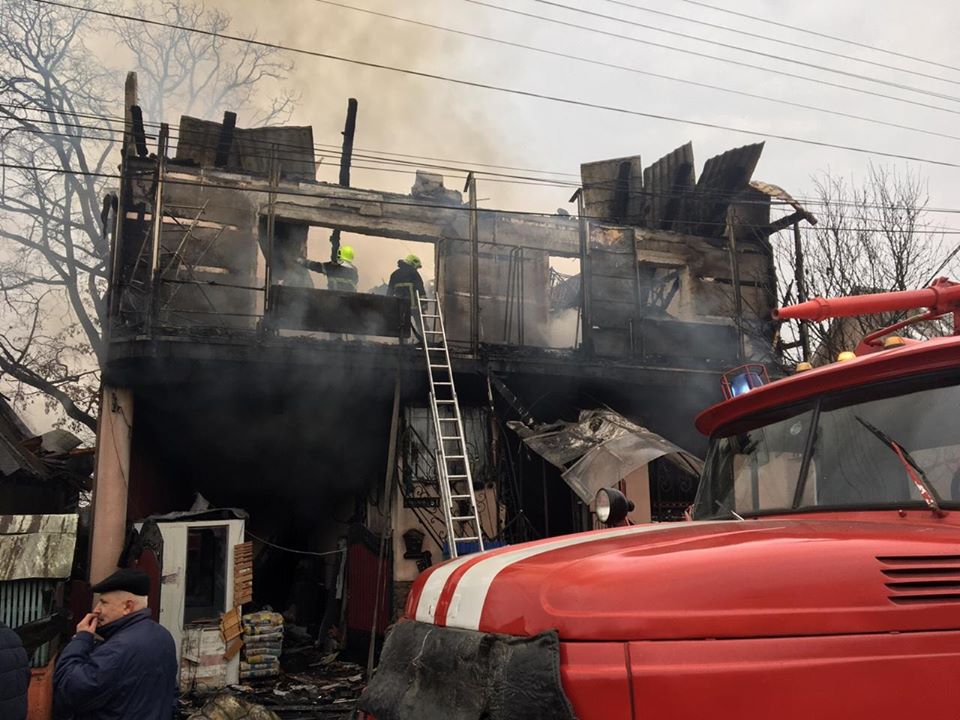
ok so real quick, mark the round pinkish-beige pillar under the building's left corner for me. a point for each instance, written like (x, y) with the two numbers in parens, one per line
(111, 481)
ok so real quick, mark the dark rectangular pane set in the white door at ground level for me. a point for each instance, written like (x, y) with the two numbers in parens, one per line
(206, 582)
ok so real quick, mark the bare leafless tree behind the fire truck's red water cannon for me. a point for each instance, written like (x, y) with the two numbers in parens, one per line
(874, 236)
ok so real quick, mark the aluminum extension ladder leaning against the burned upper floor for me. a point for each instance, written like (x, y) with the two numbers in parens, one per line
(457, 497)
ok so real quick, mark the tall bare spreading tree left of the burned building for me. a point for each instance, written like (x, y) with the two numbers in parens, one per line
(60, 138)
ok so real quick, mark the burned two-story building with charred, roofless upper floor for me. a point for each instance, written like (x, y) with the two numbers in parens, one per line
(229, 373)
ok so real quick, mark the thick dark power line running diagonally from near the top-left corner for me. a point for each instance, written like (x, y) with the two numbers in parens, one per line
(512, 91)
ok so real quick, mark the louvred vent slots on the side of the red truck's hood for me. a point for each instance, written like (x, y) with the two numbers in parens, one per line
(919, 579)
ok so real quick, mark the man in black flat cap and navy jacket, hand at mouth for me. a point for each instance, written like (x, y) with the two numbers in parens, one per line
(129, 674)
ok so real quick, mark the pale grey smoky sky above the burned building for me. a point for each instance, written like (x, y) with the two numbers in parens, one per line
(421, 116)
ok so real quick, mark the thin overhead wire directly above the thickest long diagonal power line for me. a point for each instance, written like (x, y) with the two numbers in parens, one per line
(639, 71)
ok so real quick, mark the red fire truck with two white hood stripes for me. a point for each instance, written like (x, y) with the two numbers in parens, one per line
(820, 577)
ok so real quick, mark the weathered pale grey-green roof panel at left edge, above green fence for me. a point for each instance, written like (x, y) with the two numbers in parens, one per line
(37, 546)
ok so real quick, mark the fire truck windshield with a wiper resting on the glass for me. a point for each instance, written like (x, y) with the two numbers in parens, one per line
(858, 450)
